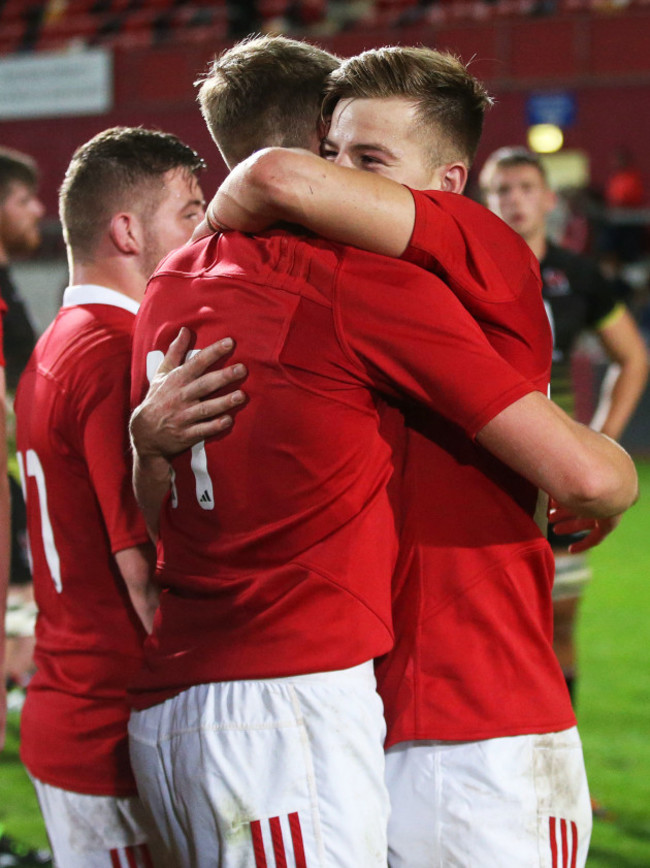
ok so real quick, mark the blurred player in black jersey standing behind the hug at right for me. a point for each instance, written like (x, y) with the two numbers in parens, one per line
(578, 298)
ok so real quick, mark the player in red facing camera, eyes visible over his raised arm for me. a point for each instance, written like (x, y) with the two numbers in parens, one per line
(414, 115)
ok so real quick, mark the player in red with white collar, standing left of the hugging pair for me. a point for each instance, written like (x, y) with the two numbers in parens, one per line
(129, 196)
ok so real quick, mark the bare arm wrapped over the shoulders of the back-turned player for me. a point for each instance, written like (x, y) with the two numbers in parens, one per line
(291, 185)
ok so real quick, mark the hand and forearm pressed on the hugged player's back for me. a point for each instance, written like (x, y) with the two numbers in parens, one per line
(179, 410)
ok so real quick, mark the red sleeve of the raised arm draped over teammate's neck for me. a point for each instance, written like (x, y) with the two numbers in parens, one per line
(472, 250)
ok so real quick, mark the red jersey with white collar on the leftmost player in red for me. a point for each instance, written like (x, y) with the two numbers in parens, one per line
(72, 410)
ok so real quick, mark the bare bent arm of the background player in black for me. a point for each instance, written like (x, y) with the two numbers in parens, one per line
(626, 379)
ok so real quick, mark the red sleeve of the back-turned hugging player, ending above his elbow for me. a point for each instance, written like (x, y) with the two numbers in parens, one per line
(410, 336)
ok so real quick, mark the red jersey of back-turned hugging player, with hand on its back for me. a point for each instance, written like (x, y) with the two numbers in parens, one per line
(277, 547)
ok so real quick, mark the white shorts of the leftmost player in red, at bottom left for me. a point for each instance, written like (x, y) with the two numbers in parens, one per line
(98, 831)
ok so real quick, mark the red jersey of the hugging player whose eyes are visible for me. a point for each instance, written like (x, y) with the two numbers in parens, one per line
(473, 655)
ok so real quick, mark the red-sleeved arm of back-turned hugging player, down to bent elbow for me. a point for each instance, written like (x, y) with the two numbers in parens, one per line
(425, 344)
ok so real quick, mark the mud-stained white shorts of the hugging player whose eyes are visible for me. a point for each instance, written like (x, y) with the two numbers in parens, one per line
(520, 801)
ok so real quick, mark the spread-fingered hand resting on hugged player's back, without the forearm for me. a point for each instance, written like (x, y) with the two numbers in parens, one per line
(181, 408)
